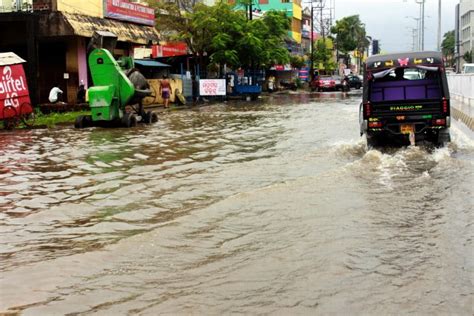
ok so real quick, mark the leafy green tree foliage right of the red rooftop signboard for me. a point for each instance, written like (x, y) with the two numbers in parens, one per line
(224, 35)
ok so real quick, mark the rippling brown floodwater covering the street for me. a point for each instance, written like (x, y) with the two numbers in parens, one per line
(274, 207)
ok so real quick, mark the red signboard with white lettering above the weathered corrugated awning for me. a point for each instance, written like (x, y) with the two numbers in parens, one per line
(127, 11)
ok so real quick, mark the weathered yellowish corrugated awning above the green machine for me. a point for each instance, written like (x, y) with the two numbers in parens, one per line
(70, 24)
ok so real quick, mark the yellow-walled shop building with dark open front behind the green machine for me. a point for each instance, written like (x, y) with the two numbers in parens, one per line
(53, 37)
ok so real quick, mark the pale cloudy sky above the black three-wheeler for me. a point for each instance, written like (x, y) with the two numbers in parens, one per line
(386, 20)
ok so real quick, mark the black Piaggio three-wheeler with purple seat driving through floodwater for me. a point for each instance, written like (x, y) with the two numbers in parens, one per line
(405, 99)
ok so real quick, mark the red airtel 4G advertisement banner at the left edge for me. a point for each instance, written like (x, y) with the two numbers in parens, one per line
(14, 95)
